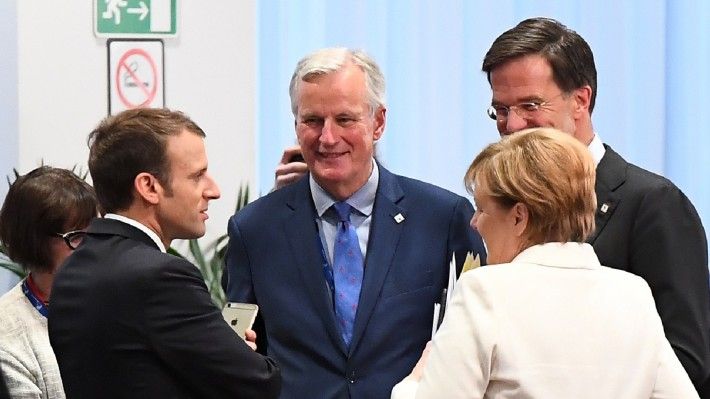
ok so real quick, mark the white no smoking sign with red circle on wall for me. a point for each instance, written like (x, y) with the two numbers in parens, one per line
(135, 75)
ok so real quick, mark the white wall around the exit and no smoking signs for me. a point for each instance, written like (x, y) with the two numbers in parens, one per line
(209, 74)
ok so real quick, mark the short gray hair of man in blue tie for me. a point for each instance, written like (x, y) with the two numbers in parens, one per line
(329, 60)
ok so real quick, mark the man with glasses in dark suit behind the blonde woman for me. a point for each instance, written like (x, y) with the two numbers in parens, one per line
(542, 74)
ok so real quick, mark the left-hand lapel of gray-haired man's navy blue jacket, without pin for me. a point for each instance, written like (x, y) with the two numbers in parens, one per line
(302, 233)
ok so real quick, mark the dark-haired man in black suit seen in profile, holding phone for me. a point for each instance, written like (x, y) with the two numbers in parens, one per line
(128, 320)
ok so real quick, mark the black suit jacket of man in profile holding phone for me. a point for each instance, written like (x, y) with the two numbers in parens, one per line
(128, 321)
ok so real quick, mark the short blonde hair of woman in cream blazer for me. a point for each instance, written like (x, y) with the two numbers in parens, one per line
(548, 171)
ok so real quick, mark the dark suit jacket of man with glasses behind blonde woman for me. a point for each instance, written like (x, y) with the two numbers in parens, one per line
(647, 226)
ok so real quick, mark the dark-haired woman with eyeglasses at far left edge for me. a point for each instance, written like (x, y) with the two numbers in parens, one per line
(41, 223)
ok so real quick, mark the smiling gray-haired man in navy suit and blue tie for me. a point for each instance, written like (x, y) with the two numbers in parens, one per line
(347, 262)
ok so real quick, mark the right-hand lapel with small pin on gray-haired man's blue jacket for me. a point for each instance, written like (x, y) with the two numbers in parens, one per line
(385, 231)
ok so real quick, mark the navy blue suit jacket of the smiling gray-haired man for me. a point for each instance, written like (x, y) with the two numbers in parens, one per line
(274, 260)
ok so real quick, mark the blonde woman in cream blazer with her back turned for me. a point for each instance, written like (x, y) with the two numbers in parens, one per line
(544, 319)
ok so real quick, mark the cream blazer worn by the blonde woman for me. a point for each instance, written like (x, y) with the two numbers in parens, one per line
(553, 323)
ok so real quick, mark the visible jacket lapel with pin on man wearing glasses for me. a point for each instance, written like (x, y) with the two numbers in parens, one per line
(611, 174)
